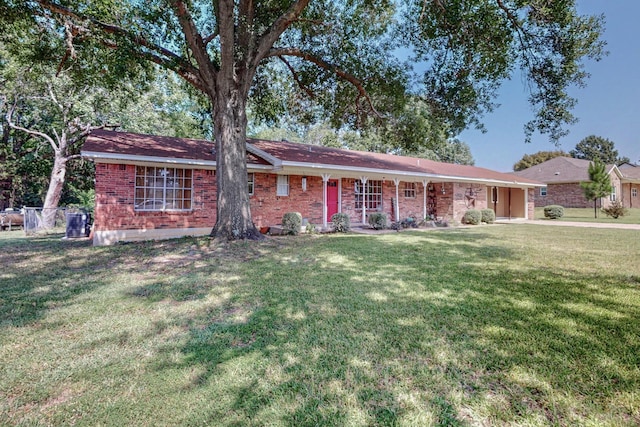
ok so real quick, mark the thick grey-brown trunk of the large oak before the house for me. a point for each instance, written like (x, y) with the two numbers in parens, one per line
(234, 220)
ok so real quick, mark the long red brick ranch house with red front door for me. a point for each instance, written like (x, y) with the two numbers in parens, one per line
(150, 187)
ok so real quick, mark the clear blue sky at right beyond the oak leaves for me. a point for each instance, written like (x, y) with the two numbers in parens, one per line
(608, 107)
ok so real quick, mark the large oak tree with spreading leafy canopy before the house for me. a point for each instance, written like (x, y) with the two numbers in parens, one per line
(341, 55)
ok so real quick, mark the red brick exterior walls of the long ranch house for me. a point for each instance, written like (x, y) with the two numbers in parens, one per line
(115, 187)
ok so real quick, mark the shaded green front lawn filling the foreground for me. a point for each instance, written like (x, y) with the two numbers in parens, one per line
(492, 325)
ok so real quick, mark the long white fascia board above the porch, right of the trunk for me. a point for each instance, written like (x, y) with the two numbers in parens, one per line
(302, 167)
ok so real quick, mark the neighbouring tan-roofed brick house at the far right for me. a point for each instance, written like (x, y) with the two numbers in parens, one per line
(563, 175)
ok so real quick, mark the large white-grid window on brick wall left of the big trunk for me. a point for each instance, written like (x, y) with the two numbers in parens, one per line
(159, 189)
